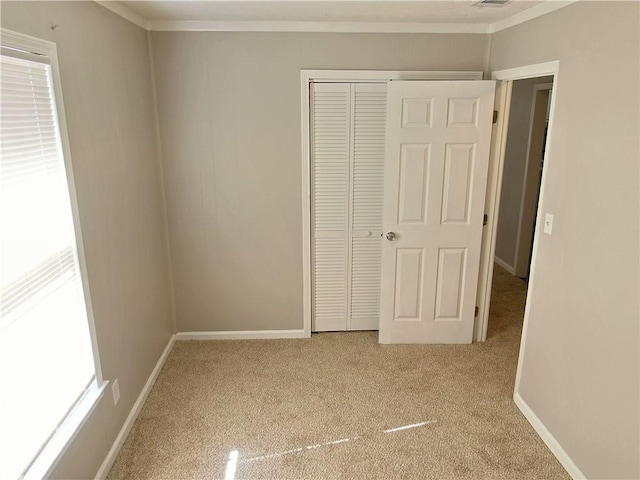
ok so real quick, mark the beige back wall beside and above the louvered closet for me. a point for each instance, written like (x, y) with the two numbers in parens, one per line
(230, 127)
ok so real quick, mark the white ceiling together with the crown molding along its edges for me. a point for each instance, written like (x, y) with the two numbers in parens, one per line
(331, 15)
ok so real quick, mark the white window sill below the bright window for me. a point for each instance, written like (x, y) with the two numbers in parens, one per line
(57, 446)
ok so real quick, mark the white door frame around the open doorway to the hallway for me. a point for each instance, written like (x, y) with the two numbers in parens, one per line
(494, 187)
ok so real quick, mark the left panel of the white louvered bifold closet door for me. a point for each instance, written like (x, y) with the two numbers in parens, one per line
(330, 121)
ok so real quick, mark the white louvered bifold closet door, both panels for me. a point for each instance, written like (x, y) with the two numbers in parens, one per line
(348, 147)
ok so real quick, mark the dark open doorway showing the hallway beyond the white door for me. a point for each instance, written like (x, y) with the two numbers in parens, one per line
(527, 128)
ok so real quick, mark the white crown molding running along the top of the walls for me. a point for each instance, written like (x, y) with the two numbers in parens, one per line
(332, 27)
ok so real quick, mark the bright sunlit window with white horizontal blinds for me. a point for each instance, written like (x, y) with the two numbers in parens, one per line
(47, 366)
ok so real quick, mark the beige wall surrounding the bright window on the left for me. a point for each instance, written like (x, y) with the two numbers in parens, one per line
(105, 72)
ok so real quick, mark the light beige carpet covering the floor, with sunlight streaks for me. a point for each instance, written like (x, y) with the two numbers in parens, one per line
(334, 407)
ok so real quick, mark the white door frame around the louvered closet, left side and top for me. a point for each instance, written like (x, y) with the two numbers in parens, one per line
(347, 76)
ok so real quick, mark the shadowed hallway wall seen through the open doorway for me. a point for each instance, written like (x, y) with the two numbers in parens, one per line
(515, 162)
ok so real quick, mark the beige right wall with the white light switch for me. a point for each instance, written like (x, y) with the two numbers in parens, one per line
(581, 361)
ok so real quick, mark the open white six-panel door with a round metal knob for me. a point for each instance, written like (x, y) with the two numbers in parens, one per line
(438, 139)
